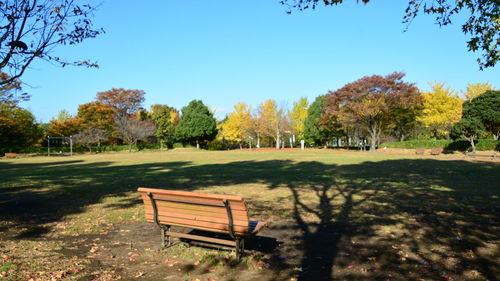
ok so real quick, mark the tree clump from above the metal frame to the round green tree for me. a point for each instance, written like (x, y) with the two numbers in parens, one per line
(118, 115)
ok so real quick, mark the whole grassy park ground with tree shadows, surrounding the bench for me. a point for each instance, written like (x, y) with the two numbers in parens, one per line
(336, 215)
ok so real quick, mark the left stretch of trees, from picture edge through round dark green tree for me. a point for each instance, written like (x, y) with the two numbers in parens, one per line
(115, 116)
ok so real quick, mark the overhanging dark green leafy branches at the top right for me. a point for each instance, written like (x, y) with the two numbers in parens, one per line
(483, 24)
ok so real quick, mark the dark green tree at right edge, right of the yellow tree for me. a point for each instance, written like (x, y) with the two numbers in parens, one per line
(485, 107)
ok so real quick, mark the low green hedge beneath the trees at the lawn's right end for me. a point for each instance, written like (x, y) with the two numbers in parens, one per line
(458, 145)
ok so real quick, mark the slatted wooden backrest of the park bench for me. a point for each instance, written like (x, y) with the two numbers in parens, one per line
(196, 210)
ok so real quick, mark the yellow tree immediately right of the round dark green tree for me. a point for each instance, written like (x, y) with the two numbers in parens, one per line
(236, 128)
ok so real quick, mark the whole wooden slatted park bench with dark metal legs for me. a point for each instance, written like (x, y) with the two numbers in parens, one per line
(218, 213)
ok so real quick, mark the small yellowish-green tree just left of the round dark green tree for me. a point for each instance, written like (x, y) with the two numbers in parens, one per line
(166, 119)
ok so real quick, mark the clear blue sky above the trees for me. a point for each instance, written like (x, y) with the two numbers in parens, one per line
(223, 52)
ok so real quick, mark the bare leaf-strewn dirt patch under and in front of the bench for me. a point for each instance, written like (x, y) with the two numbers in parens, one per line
(131, 252)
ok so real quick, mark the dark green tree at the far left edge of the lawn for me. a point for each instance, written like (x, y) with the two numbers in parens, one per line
(17, 128)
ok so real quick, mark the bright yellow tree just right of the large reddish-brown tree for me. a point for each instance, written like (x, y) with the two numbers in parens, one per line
(442, 108)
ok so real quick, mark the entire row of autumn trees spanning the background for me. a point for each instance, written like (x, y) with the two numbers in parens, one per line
(366, 111)
